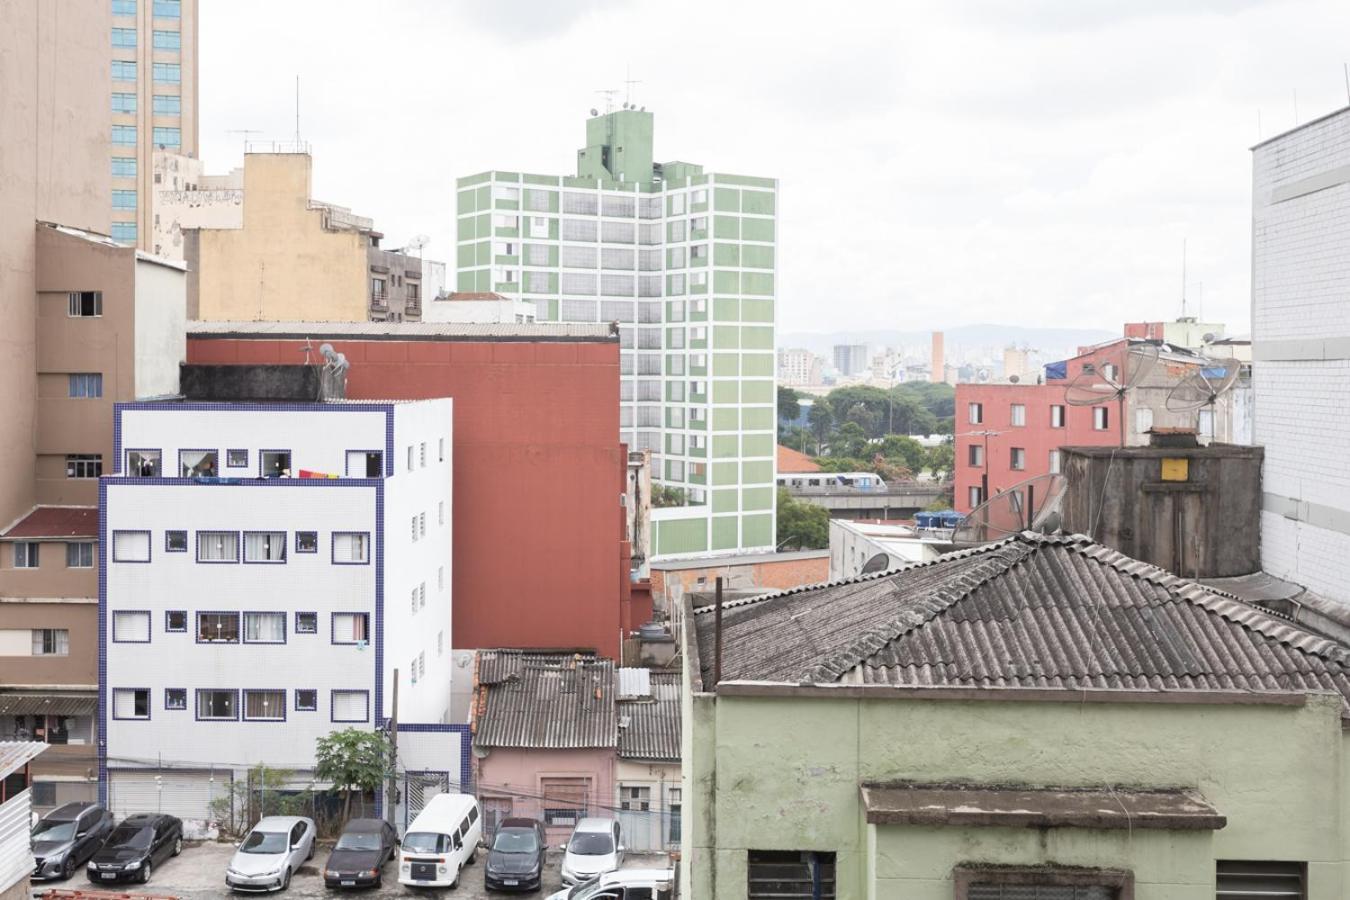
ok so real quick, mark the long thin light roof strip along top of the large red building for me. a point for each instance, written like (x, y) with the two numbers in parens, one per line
(588, 333)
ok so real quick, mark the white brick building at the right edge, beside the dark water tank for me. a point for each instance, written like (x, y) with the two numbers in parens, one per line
(1301, 319)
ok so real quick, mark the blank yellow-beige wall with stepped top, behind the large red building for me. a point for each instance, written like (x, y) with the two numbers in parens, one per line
(283, 265)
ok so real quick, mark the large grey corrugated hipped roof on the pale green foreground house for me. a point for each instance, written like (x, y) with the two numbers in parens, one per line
(1044, 612)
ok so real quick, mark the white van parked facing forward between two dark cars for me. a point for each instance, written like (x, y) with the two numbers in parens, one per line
(441, 841)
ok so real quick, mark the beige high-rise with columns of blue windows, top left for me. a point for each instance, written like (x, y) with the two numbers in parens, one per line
(153, 105)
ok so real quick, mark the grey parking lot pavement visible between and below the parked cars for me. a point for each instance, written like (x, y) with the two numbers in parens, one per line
(200, 875)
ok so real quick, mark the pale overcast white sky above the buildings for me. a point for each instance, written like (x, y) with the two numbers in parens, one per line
(1029, 163)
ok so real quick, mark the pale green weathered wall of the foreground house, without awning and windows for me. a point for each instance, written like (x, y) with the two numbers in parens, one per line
(761, 779)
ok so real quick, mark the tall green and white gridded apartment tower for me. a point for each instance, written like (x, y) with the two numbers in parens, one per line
(685, 261)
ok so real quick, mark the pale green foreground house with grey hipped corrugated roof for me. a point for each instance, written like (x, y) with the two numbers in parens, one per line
(1040, 719)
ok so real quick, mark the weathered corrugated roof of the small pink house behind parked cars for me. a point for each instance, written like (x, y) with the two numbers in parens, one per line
(538, 701)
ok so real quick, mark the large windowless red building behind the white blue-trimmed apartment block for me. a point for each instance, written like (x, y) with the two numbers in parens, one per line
(539, 558)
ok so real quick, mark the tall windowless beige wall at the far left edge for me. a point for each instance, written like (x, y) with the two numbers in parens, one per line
(55, 87)
